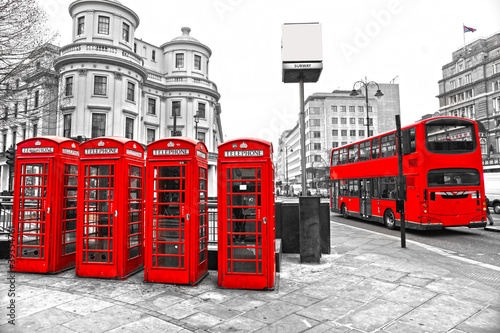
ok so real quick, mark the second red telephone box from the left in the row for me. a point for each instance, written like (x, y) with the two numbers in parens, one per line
(110, 208)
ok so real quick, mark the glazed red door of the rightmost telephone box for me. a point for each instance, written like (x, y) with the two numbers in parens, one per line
(246, 247)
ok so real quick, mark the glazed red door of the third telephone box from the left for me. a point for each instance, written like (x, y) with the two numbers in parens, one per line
(170, 234)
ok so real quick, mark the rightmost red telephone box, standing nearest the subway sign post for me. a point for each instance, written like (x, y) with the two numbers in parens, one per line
(246, 225)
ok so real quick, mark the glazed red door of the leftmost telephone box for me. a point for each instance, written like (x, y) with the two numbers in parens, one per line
(34, 179)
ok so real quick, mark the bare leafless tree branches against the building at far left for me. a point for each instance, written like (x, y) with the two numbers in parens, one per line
(26, 57)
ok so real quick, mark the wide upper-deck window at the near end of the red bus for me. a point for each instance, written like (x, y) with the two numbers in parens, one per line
(450, 136)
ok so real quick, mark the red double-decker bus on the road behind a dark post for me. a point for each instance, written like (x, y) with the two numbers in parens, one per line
(443, 173)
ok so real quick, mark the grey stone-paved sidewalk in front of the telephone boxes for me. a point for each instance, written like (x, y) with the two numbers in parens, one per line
(367, 284)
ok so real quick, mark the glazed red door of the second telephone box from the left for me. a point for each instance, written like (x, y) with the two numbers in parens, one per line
(99, 215)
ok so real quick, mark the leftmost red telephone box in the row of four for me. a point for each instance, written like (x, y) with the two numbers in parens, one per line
(45, 194)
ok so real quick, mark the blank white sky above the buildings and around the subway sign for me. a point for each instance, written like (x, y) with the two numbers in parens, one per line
(403, 41)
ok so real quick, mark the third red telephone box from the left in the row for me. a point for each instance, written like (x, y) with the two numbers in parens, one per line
(176, 211)
